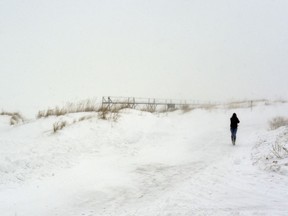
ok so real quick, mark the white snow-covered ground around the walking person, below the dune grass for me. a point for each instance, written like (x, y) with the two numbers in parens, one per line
(145, 164)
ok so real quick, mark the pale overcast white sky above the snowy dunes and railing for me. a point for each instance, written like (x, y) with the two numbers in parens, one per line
(61, 50)
